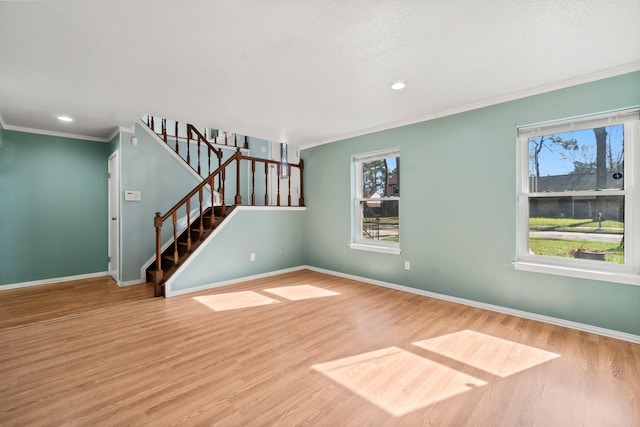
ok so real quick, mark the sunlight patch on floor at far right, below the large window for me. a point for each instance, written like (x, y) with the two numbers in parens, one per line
(491, 354)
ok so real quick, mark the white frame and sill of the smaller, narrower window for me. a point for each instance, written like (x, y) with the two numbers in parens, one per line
(365, 244)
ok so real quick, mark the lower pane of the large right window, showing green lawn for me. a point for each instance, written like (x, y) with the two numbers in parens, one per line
(577, 227)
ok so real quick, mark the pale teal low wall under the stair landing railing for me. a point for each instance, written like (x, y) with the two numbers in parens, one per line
(274, 235)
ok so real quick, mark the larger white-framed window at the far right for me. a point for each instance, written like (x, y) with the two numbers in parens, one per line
(578, 211)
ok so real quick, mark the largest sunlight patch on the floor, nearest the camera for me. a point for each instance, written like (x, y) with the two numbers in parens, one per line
(396, 380)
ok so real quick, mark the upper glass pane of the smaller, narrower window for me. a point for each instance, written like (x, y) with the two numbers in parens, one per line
(381, 178)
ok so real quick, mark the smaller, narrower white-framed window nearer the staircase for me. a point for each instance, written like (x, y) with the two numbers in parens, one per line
(376, 225)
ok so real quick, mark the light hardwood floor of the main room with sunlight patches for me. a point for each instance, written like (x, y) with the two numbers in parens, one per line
(311, 349)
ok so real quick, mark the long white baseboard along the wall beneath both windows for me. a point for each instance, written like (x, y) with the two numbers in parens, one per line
(499, 309)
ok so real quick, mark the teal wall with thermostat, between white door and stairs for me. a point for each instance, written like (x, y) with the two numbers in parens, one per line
(162, 180)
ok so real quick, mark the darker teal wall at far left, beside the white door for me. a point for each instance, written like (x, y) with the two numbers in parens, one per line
(53, 207)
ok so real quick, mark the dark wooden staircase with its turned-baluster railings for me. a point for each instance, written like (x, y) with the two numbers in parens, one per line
(191, 227)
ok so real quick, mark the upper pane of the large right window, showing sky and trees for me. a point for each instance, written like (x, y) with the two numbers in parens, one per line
(587, 159)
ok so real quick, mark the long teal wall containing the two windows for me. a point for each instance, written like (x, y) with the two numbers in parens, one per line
(458, 209)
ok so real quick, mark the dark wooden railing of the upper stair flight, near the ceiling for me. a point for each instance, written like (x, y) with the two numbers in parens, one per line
(192, 134)
